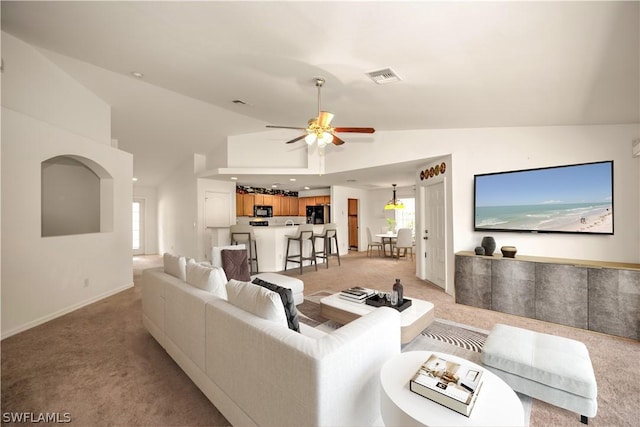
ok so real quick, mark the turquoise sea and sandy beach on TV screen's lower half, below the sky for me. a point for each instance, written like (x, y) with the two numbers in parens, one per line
(565, 217)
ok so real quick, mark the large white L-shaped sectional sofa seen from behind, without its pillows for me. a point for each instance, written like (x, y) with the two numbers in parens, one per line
(258, 372)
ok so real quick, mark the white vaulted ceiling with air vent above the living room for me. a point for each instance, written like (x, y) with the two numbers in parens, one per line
(463, 64)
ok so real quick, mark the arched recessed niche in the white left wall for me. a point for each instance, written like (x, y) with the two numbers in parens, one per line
(76, 196)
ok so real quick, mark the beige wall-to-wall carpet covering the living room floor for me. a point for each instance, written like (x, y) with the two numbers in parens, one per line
(101, 365)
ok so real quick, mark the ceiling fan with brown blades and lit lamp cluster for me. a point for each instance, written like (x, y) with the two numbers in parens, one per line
(319, 128)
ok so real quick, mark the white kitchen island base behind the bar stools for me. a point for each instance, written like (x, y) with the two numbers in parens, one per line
(272, 246)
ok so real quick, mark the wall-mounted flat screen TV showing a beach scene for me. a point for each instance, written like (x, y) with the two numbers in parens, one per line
(561, 199)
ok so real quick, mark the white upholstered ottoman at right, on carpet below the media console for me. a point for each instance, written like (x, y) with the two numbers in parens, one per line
(553, 369)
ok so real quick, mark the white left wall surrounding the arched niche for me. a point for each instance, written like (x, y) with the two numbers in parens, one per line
(46, 114)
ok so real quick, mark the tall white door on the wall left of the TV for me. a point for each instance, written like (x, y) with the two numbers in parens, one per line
(434, 234)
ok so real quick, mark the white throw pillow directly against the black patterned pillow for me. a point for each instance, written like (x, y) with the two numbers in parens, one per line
(257, 300)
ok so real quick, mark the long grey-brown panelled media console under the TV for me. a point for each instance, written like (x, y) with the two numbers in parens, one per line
(598, 296)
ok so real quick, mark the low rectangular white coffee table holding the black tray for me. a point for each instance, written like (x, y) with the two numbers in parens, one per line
(413, 320)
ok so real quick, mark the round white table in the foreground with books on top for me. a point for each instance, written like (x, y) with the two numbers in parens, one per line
(496, 405)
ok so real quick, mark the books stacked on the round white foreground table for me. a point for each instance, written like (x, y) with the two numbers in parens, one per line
(450, 384)
